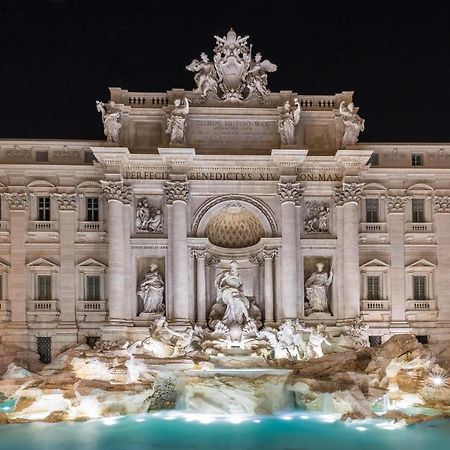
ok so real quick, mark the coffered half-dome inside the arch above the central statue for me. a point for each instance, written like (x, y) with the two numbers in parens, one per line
(234, 227)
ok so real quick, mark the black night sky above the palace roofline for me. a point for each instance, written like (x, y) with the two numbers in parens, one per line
(59, 56)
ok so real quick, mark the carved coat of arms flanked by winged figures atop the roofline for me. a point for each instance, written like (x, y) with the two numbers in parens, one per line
(234, 75)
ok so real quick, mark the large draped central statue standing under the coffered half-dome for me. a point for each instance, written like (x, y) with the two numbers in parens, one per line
(233, 308)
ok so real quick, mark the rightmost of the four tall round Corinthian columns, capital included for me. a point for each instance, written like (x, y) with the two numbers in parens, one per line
(348, 196)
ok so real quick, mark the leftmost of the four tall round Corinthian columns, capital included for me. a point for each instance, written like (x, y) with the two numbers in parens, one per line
(115, 192)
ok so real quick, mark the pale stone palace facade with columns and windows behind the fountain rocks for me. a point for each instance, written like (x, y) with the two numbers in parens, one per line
(189, 181)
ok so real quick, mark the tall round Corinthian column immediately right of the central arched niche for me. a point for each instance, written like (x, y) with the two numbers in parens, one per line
(290, 194)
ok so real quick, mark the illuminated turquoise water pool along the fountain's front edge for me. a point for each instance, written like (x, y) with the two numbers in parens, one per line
(167, 431)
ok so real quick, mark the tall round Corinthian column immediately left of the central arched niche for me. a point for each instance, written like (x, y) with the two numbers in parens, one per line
(176, 195)
